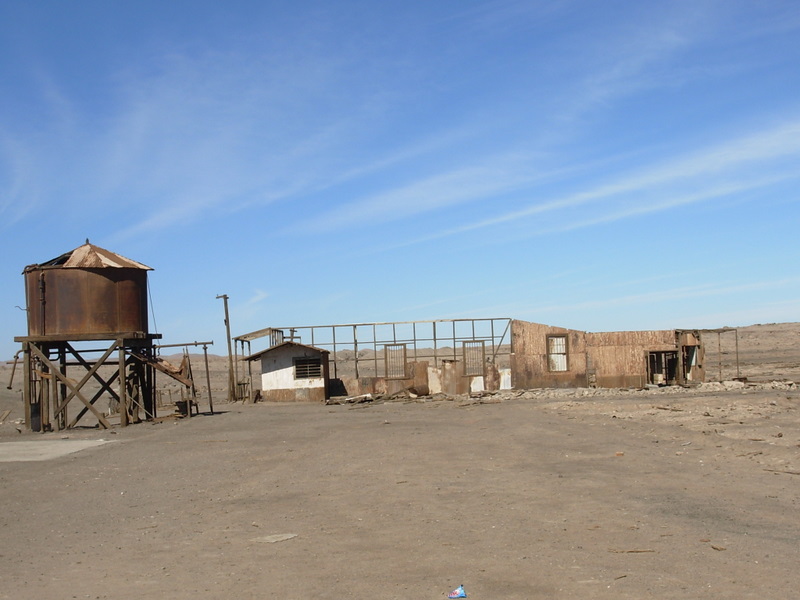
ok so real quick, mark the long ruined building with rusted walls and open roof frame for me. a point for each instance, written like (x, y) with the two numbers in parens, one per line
(465, 355)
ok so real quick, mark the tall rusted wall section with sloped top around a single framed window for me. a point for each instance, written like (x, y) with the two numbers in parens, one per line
(529, 363)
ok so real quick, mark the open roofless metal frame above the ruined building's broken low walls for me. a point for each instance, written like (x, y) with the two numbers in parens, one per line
(434, 341)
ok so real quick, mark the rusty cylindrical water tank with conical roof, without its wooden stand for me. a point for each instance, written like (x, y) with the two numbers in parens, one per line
(86, 293)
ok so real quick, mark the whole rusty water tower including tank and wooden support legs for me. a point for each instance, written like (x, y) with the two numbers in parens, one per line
(87, 295)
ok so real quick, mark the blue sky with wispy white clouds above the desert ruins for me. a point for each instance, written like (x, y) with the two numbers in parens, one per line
(595, 165)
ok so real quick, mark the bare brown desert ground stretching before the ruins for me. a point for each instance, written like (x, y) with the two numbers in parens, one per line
(569, 494)
